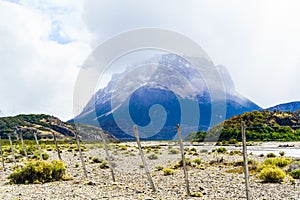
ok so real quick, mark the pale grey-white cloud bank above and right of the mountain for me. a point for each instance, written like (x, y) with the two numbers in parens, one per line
(258, 41)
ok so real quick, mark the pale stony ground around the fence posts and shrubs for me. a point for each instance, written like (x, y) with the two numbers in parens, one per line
(212, 180)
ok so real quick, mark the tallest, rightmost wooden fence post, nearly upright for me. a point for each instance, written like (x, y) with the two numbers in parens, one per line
(245, 161)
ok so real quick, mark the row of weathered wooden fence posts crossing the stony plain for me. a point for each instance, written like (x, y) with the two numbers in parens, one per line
(76, 140)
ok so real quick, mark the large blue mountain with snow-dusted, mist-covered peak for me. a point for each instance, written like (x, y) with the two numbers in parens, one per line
(188, 96)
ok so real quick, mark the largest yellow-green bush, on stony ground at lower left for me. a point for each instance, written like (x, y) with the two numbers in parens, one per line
(38, 172)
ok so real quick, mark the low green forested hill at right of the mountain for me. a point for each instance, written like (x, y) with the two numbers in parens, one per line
(260, 126)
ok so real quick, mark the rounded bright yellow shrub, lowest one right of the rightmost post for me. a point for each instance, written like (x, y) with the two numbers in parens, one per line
(272, 174)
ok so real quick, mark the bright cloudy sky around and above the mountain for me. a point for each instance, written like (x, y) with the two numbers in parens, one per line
(43, 43)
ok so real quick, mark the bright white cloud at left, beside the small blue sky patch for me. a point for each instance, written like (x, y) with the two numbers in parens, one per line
(38, 74)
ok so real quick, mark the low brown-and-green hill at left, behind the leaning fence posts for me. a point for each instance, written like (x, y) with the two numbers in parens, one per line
(45, 125)
